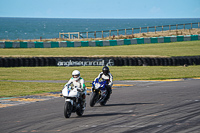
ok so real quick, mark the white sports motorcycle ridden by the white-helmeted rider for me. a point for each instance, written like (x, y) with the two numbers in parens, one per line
(73, 101)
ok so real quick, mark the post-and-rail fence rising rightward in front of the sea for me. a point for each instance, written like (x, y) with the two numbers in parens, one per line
(129, 31)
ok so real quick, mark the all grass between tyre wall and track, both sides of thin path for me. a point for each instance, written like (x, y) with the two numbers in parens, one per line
(88, 73)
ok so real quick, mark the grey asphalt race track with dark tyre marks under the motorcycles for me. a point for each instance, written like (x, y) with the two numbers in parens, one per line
(146, 107)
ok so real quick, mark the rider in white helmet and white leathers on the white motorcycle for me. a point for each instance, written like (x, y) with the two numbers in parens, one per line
(79, 82)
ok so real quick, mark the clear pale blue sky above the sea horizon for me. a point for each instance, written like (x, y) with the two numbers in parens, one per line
(100, 8)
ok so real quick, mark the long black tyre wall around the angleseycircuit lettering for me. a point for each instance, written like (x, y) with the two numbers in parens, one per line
(117, 61)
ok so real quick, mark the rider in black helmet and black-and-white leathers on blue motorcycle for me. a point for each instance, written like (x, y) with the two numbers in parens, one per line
(107, 76)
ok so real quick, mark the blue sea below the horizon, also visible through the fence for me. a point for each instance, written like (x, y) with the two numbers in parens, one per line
(47, 28)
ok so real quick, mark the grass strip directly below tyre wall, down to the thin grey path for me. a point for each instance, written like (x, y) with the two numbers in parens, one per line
(90, 72)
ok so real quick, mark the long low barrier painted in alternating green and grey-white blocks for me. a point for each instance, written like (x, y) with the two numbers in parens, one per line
(166, 39)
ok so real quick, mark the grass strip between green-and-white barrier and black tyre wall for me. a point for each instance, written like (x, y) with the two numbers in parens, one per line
(188, 48)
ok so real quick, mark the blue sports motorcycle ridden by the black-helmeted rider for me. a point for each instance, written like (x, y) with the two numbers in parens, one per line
(99, 93)
